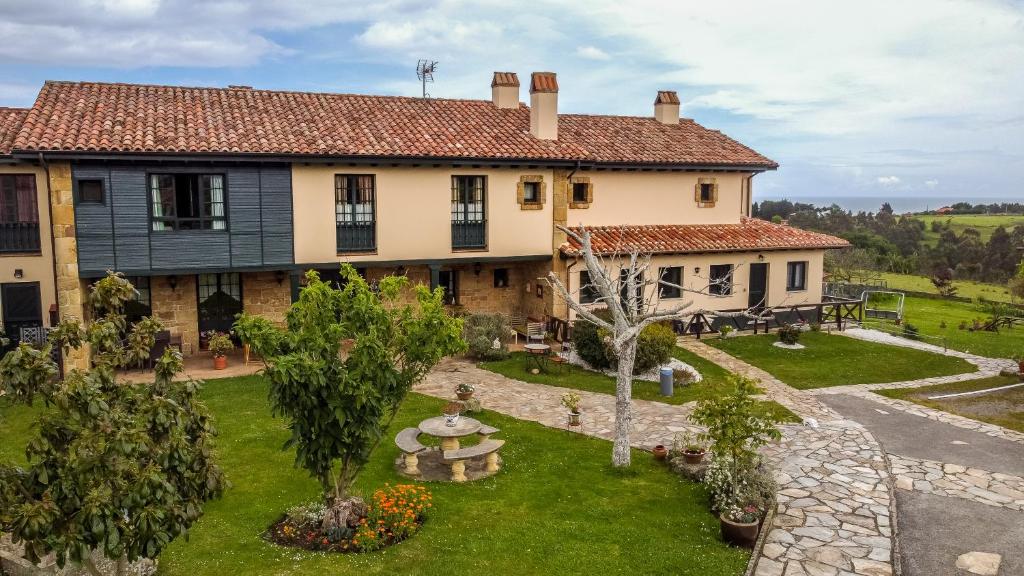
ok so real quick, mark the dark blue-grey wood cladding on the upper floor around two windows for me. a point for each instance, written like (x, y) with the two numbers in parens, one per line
(117, 235)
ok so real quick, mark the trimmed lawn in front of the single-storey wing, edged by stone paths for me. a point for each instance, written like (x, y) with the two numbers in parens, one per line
(836, 360)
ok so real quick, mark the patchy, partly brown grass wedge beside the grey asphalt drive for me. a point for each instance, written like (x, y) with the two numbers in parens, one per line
(1003, 408)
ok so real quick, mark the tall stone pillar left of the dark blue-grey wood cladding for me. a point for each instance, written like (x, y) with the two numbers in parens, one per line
(71, 290)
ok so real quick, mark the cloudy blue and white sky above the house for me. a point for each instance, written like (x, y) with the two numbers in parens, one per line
(871, 99)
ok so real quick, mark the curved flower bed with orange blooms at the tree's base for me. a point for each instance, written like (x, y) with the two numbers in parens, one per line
(395, 514)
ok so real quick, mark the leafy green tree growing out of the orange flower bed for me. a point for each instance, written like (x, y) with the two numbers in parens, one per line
(343, 366)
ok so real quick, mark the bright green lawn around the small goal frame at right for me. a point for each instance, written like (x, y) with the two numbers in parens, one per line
(929, 315)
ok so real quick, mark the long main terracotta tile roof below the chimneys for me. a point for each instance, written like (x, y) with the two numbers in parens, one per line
(134, 118)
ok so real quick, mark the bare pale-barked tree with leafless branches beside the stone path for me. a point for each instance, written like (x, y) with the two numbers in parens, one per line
(632, 298)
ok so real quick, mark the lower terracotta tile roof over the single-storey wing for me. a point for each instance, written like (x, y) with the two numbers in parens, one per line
(749, 235)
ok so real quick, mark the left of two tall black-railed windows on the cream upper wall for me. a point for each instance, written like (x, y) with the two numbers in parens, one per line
(356, 213)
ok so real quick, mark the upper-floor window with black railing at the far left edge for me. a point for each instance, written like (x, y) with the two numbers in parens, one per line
(19, 214)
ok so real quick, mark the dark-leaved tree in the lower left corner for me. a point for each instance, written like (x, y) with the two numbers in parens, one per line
(116, 470)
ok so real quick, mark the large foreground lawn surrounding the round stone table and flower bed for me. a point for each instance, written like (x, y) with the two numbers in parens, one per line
(558, 508)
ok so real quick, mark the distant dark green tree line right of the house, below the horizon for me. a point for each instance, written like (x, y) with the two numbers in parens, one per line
(899, 244)
